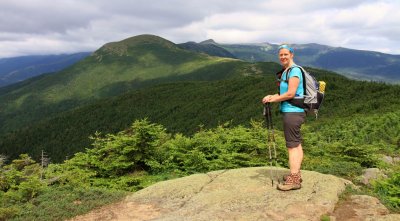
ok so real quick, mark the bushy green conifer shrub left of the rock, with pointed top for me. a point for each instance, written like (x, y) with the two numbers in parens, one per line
(127, 151)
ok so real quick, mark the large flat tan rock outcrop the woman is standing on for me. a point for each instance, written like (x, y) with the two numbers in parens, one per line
(237, 194)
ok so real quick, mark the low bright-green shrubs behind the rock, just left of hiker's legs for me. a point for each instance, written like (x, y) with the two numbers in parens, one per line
(224, 147)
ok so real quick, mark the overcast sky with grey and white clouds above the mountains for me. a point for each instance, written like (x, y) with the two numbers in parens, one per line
(34, 27)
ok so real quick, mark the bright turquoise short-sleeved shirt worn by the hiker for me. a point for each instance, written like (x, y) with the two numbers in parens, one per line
(286, 106)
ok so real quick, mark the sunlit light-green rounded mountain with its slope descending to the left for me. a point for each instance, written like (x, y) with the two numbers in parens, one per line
(115, 68)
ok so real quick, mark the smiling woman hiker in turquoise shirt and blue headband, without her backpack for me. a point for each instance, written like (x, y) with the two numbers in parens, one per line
(291, 86)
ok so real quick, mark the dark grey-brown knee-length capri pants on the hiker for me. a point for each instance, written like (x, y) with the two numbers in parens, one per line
(291, 127)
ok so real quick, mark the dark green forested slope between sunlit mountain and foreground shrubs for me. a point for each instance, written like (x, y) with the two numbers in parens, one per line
(185, 107)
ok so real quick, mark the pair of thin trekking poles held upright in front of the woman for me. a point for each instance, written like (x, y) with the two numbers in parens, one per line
(271, 138)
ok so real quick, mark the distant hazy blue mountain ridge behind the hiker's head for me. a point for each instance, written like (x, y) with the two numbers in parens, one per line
(356, 64)
